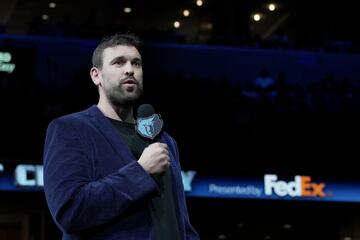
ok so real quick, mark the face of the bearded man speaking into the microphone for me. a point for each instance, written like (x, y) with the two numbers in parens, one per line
(121, 76)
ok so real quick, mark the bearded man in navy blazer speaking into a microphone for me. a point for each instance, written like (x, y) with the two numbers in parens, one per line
(101, 179)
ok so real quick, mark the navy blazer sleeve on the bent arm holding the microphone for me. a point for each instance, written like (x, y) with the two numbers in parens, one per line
(75, 200)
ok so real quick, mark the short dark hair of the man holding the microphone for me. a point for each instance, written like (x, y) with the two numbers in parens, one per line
(126, 39)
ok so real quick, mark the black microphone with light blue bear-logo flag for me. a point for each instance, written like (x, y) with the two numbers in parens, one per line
(149, 125)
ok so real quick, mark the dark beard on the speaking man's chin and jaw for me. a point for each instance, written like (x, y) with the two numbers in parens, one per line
(121, 97)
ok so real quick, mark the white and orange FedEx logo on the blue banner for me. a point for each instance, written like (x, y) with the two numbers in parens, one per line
(300, 187)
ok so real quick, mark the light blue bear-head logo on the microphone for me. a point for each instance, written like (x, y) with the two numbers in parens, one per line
(149, 127)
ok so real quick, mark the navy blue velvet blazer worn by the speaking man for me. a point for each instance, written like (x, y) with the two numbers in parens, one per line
(94, 186)
